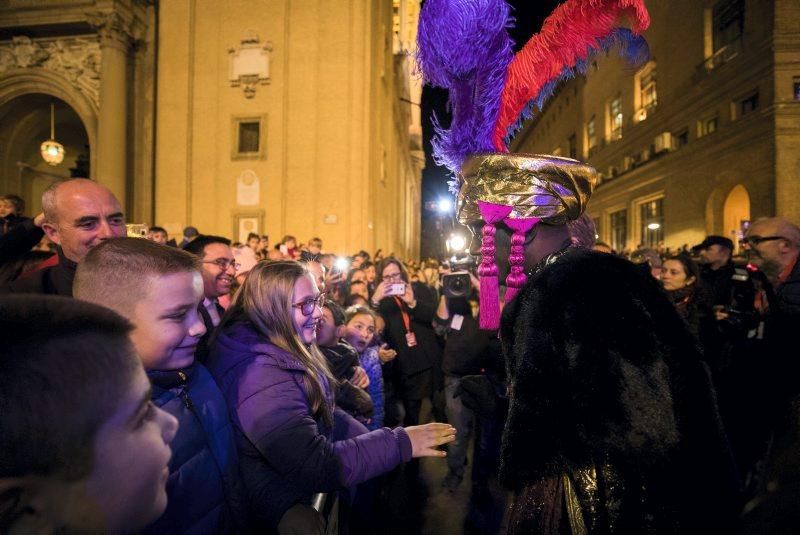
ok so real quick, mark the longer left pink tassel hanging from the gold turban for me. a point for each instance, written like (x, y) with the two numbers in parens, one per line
(487, 271)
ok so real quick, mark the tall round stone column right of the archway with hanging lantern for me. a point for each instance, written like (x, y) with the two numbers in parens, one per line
(112, 142)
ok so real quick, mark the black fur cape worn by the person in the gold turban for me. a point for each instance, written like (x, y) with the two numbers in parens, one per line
(607, 384)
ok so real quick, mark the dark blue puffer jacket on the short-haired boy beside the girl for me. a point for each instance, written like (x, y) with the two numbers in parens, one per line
(203, 484)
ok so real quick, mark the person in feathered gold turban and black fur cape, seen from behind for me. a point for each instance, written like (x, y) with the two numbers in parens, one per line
(611, 418)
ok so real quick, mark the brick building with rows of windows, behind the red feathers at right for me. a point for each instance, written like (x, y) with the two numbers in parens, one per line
(702, 139)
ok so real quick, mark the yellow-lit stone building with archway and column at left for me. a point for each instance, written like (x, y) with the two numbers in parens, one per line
(286, 117)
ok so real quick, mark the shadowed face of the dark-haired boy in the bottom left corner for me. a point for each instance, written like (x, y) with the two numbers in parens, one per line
(131, 453)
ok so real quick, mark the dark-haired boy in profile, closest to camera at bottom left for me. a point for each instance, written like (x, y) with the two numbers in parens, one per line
(82, 447)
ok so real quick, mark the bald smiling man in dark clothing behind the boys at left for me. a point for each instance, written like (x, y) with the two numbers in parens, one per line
(79, 215)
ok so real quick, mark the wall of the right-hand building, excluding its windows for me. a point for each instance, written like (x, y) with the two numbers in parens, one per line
(695, 179)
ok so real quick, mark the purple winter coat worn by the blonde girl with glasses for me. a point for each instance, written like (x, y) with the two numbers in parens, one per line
(286, 454)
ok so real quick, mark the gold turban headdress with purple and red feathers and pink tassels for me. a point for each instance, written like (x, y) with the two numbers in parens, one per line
(464, 47)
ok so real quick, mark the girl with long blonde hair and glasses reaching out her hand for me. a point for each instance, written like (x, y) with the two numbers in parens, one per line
(278, 389)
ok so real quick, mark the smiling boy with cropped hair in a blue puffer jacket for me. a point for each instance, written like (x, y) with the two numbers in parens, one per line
(159, 288)
